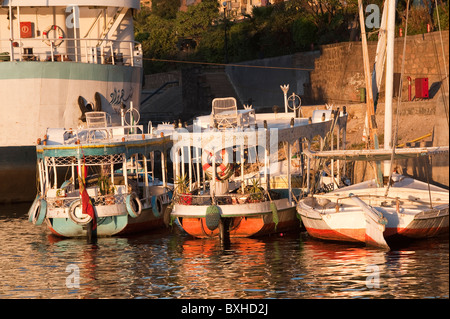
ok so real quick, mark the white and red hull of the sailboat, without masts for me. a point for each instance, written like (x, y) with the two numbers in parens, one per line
(406, 213)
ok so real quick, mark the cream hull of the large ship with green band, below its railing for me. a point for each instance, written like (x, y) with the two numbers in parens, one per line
(38, 95)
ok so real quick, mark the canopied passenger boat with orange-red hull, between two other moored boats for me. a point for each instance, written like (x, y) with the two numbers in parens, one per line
(227, 198)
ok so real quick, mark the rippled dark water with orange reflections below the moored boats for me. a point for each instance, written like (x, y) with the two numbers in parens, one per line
(34, 264)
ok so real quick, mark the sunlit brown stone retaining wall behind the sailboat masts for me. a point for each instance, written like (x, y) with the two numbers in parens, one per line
(338, 74)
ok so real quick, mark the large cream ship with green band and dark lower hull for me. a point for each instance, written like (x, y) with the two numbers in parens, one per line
(57, 59)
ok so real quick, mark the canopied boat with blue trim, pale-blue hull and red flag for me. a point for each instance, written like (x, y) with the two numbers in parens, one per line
(115, 164)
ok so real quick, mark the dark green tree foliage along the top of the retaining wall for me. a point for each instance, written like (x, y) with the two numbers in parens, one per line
(279, 29)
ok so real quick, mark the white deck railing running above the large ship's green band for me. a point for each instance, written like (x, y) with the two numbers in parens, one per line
(115, 52)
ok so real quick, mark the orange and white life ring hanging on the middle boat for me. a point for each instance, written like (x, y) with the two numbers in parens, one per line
(224, 169)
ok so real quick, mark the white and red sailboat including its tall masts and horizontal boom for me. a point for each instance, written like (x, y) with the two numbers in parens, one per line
(408, 208)
